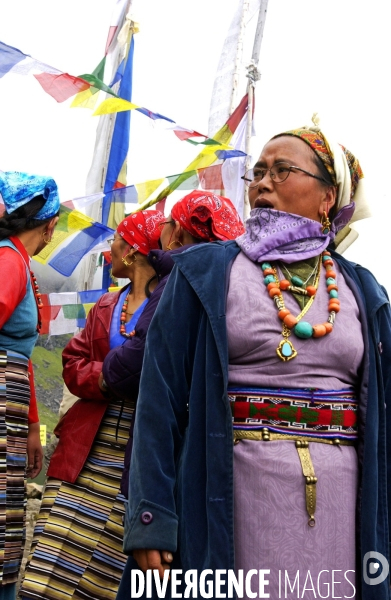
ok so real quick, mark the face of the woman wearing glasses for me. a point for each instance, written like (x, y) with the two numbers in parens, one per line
(299, 193)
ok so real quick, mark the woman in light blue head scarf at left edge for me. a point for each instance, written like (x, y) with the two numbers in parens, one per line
(27, 225)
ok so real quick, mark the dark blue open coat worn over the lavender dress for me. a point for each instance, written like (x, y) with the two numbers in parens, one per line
(182, 463)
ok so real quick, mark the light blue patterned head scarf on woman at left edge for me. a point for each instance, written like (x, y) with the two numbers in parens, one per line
(18, 189)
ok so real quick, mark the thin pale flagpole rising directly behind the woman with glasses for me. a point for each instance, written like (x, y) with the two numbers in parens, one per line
(253, 76)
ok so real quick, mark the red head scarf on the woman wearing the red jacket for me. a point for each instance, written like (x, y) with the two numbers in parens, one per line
(141, 230)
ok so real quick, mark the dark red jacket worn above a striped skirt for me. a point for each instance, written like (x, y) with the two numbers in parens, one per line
(82, 361)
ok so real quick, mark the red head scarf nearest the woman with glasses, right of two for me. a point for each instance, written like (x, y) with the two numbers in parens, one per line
(208, 217)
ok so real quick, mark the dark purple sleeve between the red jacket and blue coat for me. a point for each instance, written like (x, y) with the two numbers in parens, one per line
(122, 365)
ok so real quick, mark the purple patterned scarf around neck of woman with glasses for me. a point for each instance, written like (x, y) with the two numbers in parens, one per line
(275, 235)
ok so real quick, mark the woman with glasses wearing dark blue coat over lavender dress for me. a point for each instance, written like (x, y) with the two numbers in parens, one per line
(278, 342)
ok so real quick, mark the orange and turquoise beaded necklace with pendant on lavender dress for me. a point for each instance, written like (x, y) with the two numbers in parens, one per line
(302, 329)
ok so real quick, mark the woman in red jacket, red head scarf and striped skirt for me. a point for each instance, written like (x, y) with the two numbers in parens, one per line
(77, 548)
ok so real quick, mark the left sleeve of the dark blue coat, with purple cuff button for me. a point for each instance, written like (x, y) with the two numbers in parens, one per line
(161, 418)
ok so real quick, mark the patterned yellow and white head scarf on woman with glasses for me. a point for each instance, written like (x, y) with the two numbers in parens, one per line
(345, 173)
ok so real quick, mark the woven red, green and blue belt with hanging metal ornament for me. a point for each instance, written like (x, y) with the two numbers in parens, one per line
(300, 416)
